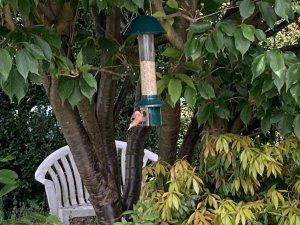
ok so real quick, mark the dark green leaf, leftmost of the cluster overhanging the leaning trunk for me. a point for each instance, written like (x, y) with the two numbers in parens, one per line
(65, 87)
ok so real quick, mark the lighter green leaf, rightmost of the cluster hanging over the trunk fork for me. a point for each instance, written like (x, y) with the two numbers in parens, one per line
(88, 86)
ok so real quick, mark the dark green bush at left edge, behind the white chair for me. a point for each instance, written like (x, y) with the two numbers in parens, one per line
(28, 133)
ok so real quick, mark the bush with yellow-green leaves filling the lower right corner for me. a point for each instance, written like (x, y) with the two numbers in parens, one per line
(237, 182)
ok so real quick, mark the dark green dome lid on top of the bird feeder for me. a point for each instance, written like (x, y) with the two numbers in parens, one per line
(143, 25)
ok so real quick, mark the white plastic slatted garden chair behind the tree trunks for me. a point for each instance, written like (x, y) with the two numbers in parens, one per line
(67, 197)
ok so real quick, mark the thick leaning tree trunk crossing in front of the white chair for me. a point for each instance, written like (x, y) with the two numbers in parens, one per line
(104, 194)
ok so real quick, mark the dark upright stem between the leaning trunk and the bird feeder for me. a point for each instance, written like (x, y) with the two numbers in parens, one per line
(106, 97)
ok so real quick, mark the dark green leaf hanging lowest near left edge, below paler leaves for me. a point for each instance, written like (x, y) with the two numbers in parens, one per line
(15, 85)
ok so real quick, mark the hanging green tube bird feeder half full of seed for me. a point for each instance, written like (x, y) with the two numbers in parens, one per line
(145, 27)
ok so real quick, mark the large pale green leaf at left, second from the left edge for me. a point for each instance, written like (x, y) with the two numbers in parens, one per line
(26, 63)
